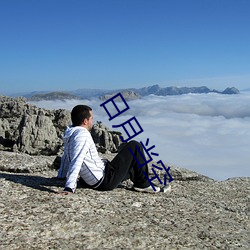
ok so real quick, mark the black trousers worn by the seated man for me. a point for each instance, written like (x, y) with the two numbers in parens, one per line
(124, 166)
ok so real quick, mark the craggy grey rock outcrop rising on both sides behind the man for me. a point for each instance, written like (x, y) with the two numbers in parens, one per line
(32, 130)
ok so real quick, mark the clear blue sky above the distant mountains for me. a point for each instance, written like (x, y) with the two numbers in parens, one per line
(66, 45)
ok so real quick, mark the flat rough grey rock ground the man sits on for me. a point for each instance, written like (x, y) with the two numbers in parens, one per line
(198, 213)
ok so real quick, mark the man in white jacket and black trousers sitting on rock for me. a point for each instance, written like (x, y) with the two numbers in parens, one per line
(81, 158)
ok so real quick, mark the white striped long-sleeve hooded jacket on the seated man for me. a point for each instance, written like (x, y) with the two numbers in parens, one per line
(80, 157)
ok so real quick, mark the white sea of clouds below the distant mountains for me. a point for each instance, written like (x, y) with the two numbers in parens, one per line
(207, 133)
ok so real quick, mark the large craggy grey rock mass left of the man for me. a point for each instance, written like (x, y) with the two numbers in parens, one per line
(29, 129)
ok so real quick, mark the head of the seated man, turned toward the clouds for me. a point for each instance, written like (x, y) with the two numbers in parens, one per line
(81, 115)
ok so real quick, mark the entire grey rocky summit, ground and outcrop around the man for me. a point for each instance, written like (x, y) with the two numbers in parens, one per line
(198, 213)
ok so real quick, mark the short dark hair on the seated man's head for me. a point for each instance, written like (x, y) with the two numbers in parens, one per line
(79, 113)
